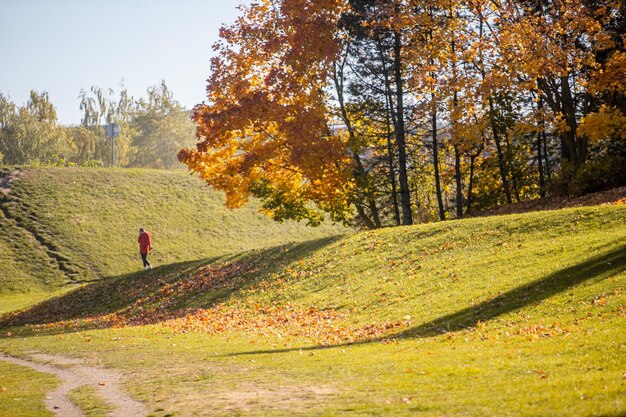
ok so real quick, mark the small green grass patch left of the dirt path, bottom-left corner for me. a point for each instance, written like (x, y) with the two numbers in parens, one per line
(22, 391)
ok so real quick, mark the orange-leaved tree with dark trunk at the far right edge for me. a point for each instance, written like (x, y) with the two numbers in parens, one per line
(572, 53)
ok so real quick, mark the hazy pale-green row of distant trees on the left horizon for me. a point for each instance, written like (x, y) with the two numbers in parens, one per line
(153, 129)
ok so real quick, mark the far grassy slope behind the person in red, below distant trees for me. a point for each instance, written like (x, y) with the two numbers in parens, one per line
(87, 220)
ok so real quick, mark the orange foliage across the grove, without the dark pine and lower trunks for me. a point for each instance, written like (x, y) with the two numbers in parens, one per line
(266, 128)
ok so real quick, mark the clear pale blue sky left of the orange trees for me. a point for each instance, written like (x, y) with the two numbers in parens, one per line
(63, 46)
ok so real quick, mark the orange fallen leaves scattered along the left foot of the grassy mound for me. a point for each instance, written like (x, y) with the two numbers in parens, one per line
(160, 306)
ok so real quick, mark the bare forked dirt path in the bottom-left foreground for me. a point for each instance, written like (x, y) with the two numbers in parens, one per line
(74, 374)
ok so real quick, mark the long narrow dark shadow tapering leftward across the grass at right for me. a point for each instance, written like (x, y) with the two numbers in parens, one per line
(596, 268)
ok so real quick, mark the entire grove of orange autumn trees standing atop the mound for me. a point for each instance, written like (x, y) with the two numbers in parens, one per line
(407, 110)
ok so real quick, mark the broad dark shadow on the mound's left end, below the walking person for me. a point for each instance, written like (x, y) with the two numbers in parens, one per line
(166, 292)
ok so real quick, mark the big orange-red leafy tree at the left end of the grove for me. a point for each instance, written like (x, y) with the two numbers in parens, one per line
(267, 128)
